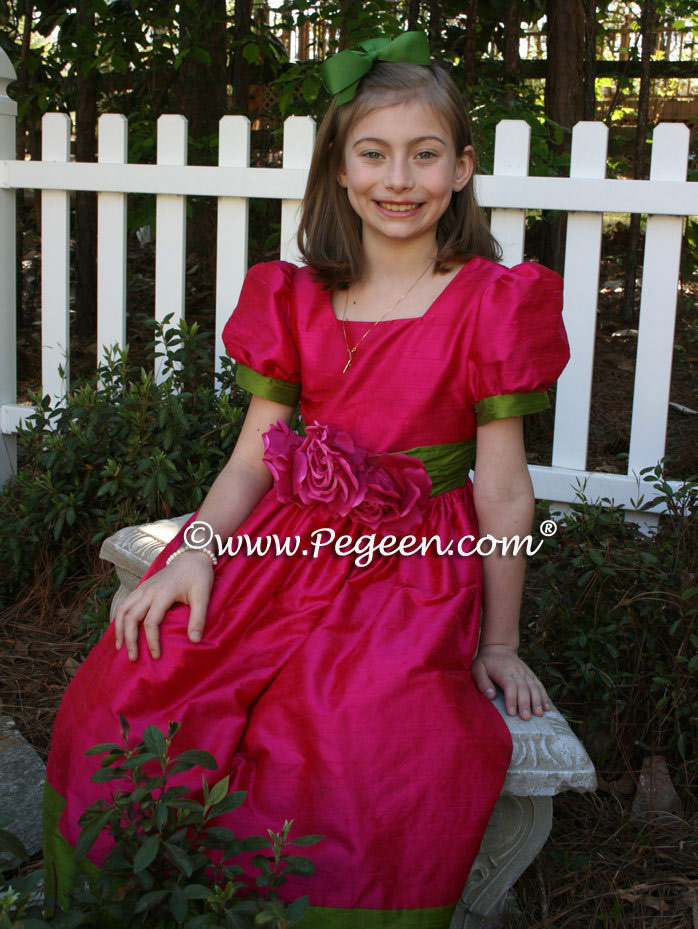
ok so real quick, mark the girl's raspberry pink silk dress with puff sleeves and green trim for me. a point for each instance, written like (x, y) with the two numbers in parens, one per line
(339, 694)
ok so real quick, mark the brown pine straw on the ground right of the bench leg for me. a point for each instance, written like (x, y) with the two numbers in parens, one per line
(602, 868)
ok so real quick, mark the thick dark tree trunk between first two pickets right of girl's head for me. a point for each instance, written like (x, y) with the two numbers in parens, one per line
(564, 96)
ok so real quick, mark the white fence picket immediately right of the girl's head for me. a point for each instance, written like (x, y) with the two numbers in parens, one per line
(512, 143)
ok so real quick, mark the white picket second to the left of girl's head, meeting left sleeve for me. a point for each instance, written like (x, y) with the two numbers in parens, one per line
(231, 257)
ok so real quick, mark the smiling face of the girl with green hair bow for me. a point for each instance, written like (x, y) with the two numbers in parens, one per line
(400, 168)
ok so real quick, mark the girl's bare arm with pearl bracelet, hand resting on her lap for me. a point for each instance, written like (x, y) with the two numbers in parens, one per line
(233, 496)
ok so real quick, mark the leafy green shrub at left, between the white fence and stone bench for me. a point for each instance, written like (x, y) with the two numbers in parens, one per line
(120, 449)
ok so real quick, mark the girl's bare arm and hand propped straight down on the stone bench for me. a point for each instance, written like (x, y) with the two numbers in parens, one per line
(505, 505)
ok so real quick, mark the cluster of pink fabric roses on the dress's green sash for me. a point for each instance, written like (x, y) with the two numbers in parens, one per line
(326, 466)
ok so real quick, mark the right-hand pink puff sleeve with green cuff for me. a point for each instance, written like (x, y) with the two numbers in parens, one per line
(519, 346)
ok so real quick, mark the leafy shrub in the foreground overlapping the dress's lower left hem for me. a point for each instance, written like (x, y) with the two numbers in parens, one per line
(170, 864)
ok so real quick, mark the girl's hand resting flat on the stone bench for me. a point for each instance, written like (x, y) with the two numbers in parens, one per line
(499, 664)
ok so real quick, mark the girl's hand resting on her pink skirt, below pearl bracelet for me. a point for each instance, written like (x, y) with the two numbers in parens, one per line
(187, 580)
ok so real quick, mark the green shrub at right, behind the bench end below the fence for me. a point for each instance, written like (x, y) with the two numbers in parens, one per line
(616, 637)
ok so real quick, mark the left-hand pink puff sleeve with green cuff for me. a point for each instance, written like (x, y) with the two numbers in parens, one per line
(258, 334)
